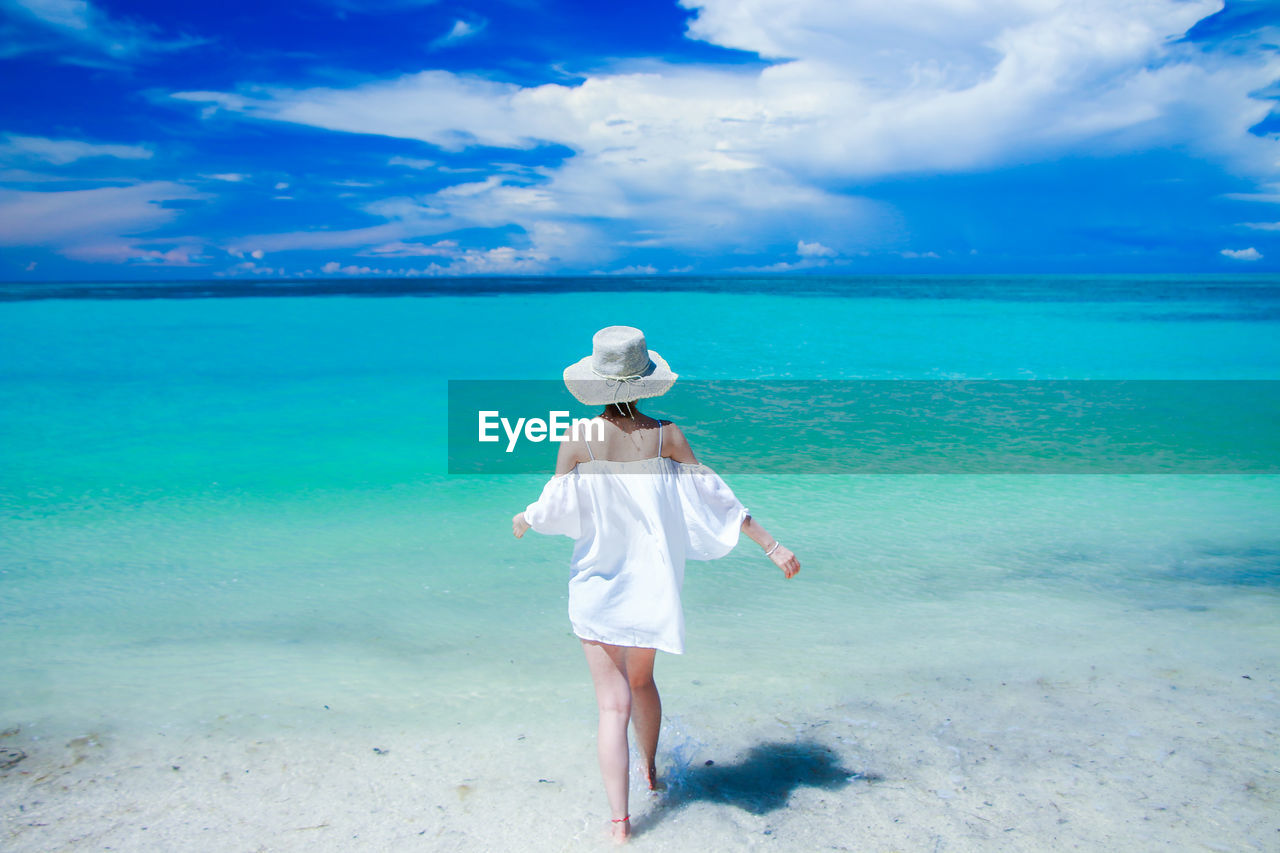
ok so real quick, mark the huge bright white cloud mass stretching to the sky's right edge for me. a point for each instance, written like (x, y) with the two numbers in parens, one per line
(729, 158)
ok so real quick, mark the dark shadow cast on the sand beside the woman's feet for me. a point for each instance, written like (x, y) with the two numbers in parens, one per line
(764, 781)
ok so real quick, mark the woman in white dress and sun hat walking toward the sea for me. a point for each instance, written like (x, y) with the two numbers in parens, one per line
(637, 504)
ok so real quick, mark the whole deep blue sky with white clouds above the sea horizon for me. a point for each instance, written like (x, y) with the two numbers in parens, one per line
(324, 139)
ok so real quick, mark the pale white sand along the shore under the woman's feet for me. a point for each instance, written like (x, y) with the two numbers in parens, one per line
(957, 763)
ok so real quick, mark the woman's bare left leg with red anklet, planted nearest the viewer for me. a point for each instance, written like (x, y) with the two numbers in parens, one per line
(609, 668)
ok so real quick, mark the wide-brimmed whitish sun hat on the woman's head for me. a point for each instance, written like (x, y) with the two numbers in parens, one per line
(620, 370)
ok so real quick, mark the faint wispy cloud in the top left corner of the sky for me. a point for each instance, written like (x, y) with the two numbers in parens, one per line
(83, 24)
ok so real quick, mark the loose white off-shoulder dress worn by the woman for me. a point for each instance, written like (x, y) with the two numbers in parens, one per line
(634, 524)
